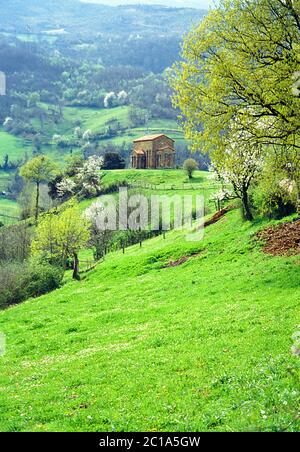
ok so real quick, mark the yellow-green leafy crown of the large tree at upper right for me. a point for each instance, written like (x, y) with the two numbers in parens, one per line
(247, 73)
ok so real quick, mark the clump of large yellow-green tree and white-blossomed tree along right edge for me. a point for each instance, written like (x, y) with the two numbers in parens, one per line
(238, 93)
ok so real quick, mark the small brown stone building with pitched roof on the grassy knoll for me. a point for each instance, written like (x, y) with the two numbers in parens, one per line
(153, 152)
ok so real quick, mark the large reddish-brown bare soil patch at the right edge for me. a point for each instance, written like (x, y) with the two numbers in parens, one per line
(281, 240)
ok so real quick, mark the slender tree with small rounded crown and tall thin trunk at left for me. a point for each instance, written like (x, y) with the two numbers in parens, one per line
(38, 170)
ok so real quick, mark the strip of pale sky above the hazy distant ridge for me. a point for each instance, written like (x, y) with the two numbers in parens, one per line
(203, 4)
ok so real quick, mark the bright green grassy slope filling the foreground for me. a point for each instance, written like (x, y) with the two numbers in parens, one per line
(203, 346)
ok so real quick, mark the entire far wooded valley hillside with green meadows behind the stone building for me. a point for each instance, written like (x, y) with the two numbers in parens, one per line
(62, 61)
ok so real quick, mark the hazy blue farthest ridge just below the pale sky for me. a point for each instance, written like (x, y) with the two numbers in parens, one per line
(73, 16)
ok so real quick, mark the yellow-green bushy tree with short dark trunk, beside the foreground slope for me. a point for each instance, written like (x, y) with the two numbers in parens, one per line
(60, 236)
